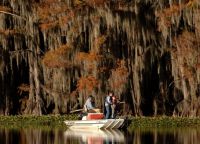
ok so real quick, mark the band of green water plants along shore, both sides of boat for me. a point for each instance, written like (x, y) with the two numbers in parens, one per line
(57, 121)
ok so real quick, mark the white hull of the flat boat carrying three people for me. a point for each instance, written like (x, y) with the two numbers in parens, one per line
(95, 123)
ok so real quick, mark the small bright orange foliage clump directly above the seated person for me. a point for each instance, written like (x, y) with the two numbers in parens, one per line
(88, 83)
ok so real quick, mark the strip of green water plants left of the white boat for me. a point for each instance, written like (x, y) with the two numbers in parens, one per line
(47, 121)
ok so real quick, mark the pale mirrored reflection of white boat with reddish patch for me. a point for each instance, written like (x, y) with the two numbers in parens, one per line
(95, 136)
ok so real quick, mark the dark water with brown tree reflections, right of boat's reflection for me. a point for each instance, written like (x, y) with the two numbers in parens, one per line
(164, 136)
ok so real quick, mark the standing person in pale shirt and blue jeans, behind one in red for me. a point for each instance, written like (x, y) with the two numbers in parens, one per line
(108, 102)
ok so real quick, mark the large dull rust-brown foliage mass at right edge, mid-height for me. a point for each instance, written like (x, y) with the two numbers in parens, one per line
(186, 54)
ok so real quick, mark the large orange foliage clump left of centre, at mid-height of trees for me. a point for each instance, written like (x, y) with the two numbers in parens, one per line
(57, 58)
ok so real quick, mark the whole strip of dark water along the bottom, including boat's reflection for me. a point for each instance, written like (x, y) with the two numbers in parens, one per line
(60, 136)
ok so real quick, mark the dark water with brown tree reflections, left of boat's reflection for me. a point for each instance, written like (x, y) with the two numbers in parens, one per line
(31, 136)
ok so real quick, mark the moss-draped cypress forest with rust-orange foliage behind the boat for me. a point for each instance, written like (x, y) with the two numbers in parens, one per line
(55, 52)
